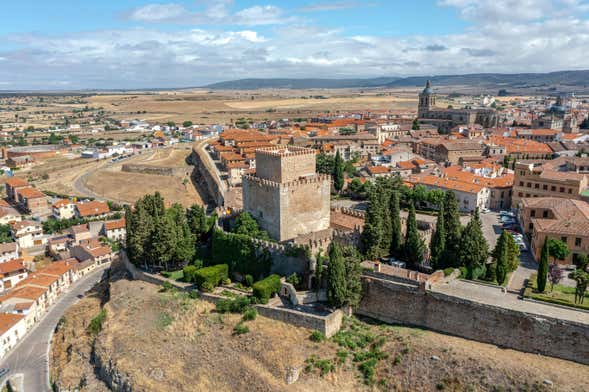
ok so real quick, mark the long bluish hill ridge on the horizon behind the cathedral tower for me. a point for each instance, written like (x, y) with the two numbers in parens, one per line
(566, 78)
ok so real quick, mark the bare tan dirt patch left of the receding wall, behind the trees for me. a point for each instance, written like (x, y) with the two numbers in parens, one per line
(112, 183)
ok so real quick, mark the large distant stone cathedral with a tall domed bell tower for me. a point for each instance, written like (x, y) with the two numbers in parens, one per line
(446, 119)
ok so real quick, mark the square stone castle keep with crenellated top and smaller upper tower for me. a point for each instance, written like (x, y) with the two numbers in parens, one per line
(286, 196)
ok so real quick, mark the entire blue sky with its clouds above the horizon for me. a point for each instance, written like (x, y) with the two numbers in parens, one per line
(126, 44)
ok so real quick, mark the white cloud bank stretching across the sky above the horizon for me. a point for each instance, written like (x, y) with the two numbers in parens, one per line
(498, 39)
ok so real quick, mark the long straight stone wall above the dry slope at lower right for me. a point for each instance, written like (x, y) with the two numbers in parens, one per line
(411, 305)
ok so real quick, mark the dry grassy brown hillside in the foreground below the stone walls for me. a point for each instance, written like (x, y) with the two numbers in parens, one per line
(162, 341)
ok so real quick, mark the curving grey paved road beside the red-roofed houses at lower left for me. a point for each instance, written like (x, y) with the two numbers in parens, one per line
(30, 357)
